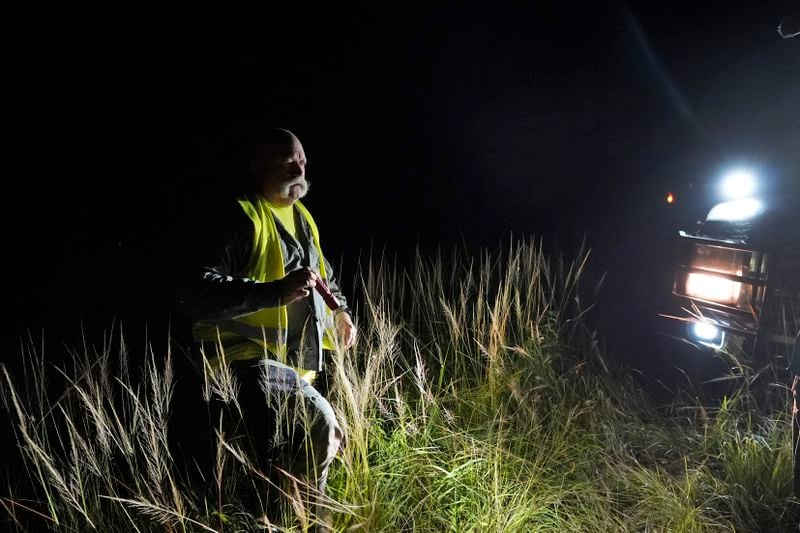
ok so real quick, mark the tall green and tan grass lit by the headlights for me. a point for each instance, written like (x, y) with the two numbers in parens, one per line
(476, 399)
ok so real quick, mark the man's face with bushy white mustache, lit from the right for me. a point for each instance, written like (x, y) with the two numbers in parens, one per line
(281, 172)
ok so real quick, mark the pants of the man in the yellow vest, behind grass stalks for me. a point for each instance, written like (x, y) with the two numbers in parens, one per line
(286, 429)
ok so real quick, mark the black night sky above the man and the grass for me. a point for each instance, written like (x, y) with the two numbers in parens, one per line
(427, 125)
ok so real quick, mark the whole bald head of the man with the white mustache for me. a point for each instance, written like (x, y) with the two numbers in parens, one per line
(278, 167)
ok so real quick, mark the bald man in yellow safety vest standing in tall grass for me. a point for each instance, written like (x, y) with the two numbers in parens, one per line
(254, 309)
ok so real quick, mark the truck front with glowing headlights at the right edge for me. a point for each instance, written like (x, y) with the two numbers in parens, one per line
(736, 284)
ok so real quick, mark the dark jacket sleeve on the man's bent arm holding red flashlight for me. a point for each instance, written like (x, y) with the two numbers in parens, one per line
(213, 286)
